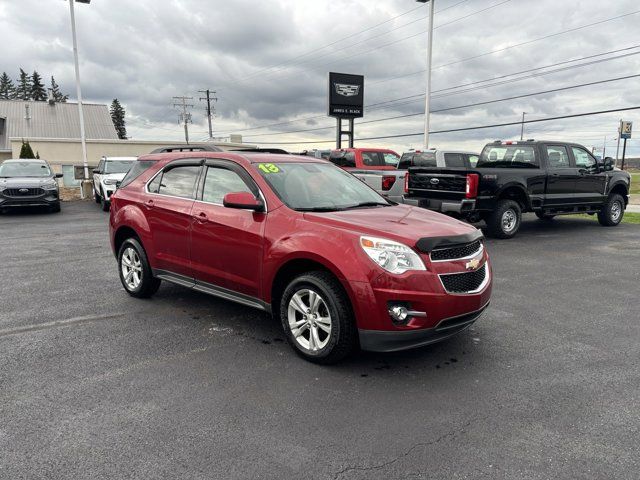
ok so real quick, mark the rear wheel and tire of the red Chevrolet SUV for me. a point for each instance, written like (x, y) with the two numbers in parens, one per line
(135, 272)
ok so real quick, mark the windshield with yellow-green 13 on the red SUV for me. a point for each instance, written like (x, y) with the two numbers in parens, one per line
(318, 187)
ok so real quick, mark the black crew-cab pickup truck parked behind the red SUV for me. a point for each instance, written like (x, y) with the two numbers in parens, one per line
(547, 178)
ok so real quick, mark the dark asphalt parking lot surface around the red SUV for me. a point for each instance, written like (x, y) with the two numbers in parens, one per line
(95, 384)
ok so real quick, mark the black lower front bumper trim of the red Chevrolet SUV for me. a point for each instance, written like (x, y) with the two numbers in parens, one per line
(387, 341)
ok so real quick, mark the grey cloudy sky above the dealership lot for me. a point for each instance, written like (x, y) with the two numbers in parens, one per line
(268, 62)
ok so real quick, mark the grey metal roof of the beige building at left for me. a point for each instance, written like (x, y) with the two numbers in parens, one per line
(59, 120)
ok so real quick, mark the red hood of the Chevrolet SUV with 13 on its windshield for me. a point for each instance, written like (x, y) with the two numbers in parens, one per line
(401, 223)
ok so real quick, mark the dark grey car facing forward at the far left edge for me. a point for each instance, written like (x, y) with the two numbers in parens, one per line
(28, 183)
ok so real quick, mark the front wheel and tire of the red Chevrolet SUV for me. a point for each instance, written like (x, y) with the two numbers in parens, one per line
(317, 319)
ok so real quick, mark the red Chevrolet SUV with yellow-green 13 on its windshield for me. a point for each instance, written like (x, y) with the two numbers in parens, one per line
(304, 240)
